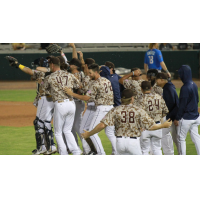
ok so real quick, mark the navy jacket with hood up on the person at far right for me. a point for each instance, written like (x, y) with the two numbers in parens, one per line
(189, 98)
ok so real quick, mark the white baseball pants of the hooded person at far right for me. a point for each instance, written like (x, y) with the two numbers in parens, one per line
(183, 128)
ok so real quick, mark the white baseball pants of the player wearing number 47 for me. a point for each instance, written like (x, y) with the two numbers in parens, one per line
(64, 113)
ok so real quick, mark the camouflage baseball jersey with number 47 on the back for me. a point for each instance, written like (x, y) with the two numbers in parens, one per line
(58, 81)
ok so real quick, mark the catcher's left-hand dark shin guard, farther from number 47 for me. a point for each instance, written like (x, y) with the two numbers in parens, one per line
(39, 132)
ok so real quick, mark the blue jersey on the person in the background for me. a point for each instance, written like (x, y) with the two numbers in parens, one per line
(153, 58)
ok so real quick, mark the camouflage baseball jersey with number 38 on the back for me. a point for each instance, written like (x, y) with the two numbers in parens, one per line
(129, 120)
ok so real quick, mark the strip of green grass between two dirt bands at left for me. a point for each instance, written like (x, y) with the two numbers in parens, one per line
(17, 95)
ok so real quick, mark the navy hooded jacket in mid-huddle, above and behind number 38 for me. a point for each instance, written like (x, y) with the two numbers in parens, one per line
(116, 86)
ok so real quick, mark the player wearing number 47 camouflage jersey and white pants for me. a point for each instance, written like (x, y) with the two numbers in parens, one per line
(64, 106)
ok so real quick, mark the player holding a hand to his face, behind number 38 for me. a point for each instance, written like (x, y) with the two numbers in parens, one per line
(134, 83)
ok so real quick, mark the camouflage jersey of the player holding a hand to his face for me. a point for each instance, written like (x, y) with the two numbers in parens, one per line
(134, 85)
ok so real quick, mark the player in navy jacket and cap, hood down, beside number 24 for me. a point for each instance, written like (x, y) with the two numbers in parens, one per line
(171, 99)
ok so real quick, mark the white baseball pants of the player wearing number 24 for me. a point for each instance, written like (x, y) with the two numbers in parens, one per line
(151, 139)
